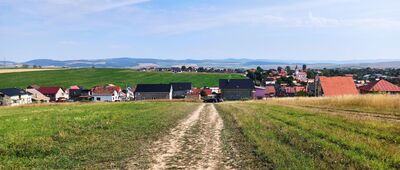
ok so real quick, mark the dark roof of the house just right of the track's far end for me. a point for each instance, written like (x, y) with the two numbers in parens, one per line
(236, 84)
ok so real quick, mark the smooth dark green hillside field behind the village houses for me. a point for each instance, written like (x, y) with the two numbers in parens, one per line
(99, 76)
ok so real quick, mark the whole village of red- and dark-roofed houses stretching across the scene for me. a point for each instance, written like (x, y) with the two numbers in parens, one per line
(259, 85)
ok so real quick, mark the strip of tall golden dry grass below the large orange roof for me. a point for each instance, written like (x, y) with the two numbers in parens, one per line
(384, 104)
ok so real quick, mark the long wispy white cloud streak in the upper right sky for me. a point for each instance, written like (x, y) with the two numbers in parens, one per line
(281, 16)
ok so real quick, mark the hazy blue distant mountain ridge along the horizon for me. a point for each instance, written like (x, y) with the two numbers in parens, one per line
(225, 63)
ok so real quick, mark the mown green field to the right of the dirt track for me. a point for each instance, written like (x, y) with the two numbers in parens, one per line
(307, 138)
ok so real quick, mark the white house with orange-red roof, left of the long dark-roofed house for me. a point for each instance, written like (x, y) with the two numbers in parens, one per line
(108, 93)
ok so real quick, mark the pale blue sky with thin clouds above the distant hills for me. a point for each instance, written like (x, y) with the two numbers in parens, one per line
(200, 29)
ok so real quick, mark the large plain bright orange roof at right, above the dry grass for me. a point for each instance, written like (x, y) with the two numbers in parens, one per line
(338, 86)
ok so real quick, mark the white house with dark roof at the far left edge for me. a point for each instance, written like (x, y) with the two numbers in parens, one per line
(14, 97)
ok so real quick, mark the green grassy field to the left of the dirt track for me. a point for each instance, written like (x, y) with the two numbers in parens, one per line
(83, 136)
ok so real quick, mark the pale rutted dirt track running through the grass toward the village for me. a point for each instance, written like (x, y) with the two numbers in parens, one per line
(194, 144)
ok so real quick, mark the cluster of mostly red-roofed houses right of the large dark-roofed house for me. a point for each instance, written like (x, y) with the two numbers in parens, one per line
(284, 82)
